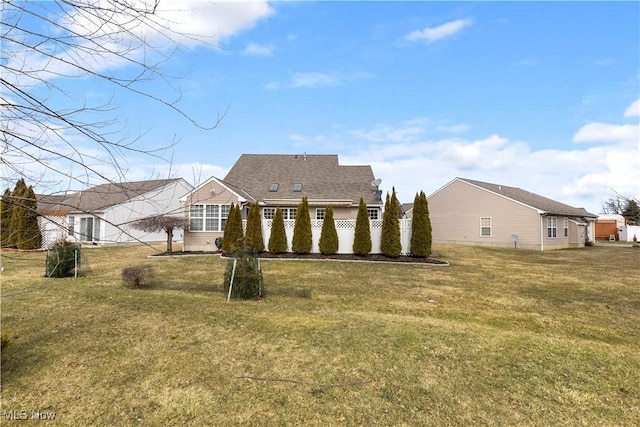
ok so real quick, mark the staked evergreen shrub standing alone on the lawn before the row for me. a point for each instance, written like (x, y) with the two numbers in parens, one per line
(247, 278)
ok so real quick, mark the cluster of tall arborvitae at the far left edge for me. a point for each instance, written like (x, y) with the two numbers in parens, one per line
(19, 228)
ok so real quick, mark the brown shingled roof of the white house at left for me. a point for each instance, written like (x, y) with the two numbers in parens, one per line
(97, 198)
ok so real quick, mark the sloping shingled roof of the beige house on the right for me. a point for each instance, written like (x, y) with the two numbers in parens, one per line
(533, 200)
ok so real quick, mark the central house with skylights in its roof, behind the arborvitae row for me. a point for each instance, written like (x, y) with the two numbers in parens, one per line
(275, 180)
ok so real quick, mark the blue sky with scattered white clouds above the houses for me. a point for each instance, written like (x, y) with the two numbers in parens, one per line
(544, 96)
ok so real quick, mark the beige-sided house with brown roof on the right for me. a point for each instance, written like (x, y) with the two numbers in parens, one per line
(472, 212)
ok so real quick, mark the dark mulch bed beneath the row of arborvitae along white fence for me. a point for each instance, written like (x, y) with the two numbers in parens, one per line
(320, 257)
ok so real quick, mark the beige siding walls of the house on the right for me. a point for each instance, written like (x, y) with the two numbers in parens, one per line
(455, 213)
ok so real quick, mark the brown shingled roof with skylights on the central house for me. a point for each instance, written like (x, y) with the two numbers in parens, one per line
(319, 177)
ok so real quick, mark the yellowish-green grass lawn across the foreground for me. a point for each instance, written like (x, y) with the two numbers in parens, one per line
(500, 337)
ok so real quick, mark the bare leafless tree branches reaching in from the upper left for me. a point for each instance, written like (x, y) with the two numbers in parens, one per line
(52, 135)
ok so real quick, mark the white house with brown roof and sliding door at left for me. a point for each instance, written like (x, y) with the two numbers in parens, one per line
(103, 214)
